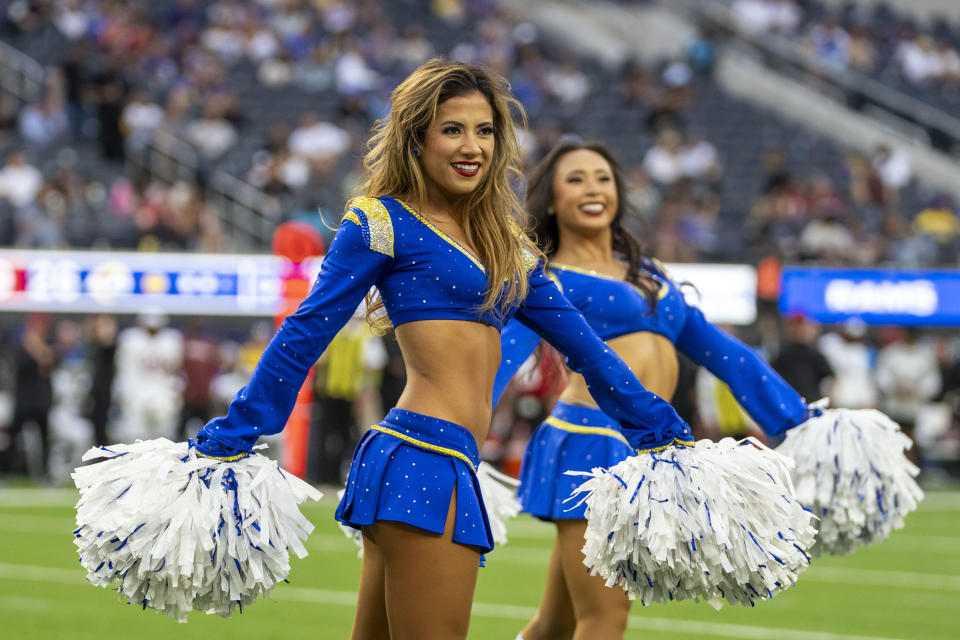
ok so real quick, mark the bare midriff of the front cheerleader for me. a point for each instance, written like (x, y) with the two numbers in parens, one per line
(451, 366)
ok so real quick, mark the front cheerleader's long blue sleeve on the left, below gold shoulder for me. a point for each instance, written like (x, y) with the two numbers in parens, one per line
(263, 406)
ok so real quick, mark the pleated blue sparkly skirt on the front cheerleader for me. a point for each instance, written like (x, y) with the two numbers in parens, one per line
(406, 469)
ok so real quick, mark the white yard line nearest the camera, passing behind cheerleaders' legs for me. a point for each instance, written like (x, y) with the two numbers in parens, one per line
(484, 609)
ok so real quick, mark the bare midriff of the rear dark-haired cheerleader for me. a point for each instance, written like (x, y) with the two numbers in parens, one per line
(650, 356)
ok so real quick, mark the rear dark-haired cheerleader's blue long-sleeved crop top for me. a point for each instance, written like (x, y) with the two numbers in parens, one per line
(615, 308)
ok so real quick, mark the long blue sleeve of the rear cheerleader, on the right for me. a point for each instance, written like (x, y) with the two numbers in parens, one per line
(770, 401)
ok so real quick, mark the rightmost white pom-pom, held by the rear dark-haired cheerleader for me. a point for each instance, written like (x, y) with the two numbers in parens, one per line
(852, 472)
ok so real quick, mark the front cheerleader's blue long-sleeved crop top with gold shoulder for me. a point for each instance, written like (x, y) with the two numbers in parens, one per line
(423, 274)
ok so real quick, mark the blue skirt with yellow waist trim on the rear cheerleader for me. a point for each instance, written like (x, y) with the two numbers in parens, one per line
(572, 438)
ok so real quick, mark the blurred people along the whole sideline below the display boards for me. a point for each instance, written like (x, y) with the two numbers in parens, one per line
(71, 383)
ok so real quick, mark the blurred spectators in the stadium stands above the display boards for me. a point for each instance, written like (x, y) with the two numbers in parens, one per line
(231, 79)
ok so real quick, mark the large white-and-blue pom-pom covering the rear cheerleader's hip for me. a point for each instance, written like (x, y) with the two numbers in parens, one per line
(715, 521)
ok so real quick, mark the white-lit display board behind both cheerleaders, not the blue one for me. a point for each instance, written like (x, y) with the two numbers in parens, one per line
(250, 284)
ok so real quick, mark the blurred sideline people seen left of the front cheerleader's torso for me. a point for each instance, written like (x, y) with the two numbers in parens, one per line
(67, 384)
